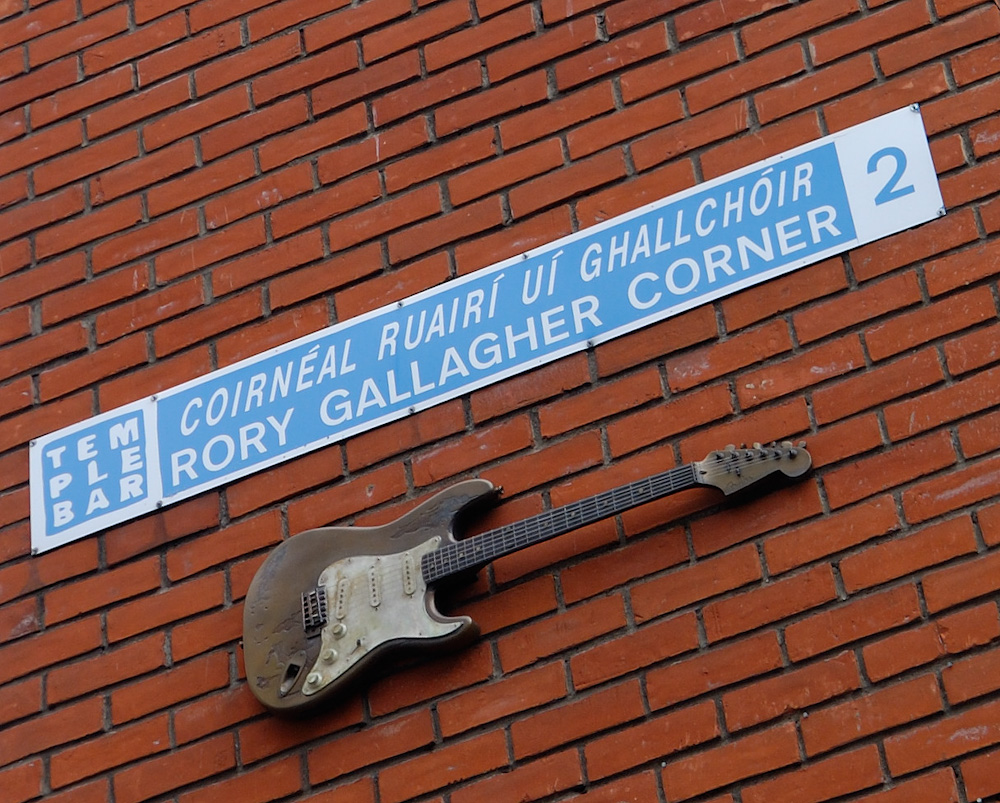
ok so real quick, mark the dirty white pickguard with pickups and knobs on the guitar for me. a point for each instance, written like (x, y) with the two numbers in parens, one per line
(372, 600)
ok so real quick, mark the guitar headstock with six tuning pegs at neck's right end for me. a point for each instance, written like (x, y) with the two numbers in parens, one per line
(732, 469)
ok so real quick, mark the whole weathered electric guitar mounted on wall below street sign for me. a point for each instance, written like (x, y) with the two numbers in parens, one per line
(329, 605)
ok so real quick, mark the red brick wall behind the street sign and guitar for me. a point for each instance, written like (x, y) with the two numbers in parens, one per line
(187, 184)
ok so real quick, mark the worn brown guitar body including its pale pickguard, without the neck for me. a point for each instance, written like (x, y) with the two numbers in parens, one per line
(331, 605)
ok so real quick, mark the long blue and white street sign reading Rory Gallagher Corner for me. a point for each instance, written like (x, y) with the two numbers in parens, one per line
(710, 241)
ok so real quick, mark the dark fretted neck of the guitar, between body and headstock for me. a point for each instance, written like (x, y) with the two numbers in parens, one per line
(479, 550)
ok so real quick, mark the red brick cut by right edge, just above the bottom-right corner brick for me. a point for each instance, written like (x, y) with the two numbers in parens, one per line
(964, 732)
